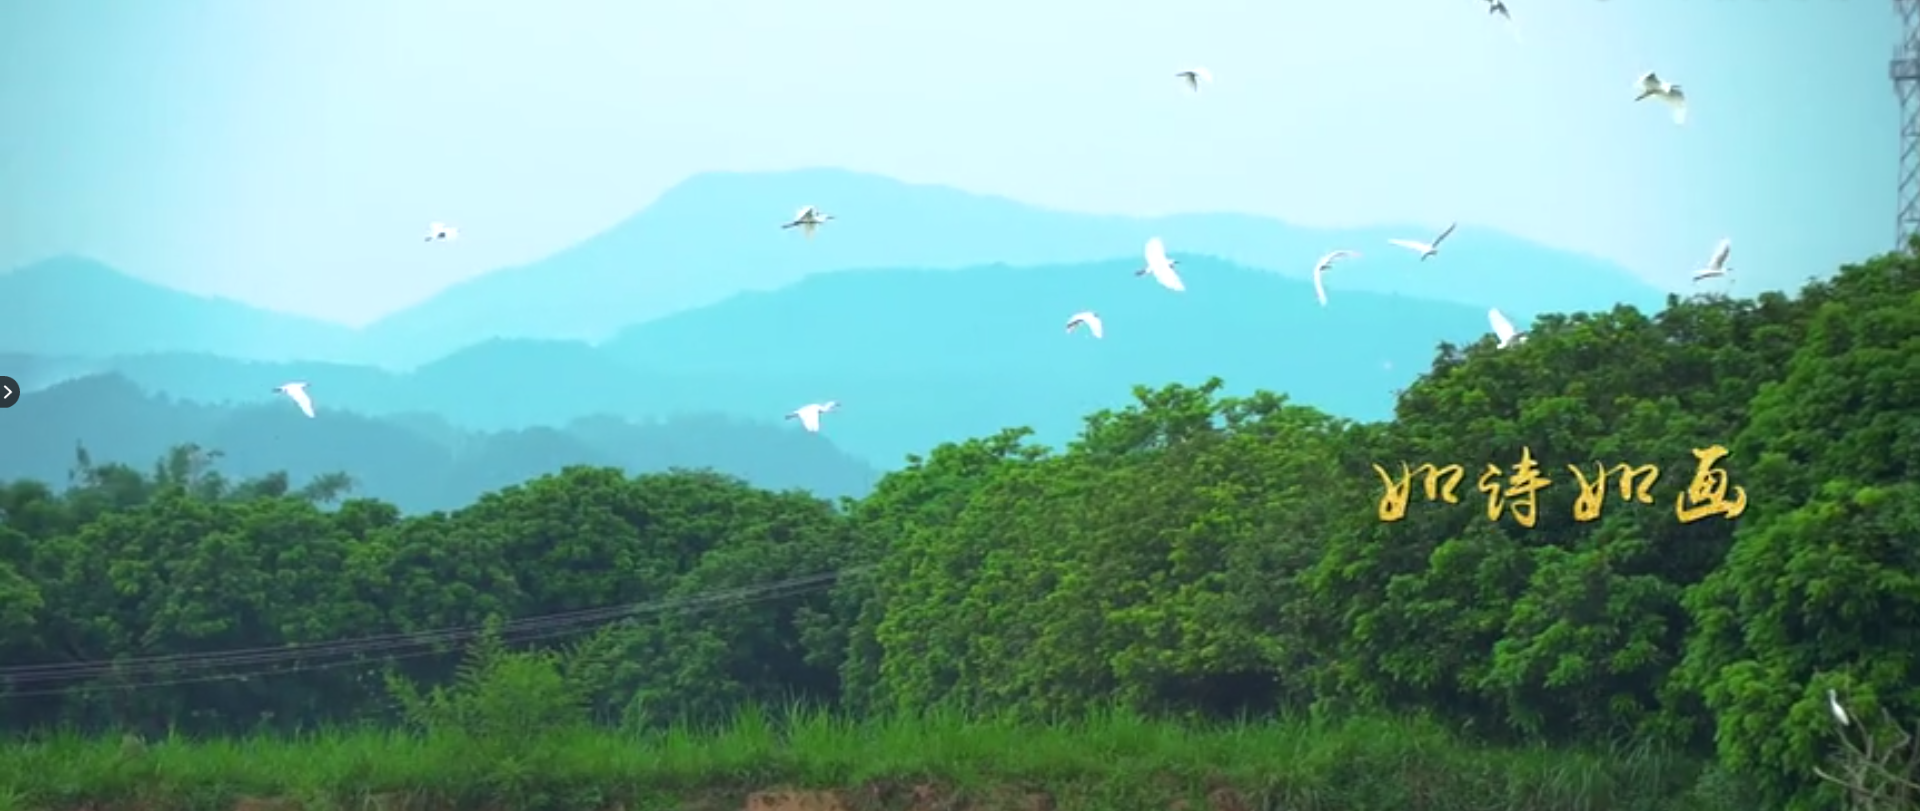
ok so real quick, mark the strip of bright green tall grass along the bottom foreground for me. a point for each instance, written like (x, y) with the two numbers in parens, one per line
(1113, 762)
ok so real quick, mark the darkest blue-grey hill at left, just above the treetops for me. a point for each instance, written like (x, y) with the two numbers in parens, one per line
(418, 462)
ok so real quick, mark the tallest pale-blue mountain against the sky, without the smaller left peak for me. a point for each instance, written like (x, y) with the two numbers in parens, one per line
(719, 233)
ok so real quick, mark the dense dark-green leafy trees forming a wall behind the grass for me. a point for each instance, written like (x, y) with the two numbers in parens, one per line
(1189, 556)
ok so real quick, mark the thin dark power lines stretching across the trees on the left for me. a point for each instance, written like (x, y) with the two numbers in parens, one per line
(395, 647)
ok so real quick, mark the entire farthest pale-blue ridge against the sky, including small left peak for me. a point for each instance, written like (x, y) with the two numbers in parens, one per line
(717, 235)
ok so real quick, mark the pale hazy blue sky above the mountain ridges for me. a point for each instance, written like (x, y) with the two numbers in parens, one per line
(291, 153)
